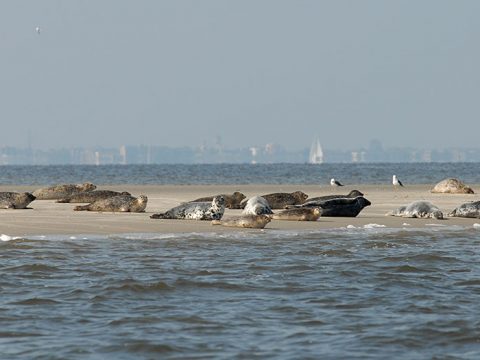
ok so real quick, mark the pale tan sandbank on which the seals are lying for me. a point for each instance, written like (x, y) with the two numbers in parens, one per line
(49, 218)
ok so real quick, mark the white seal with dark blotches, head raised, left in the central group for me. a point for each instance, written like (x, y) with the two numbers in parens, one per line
(202, 210)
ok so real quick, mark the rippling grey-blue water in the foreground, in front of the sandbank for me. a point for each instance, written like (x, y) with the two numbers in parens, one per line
(351, 293)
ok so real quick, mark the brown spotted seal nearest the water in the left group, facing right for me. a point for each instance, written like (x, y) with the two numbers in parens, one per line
(120, 203)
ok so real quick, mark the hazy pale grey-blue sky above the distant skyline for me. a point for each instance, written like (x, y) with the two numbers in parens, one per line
(182, 73)
